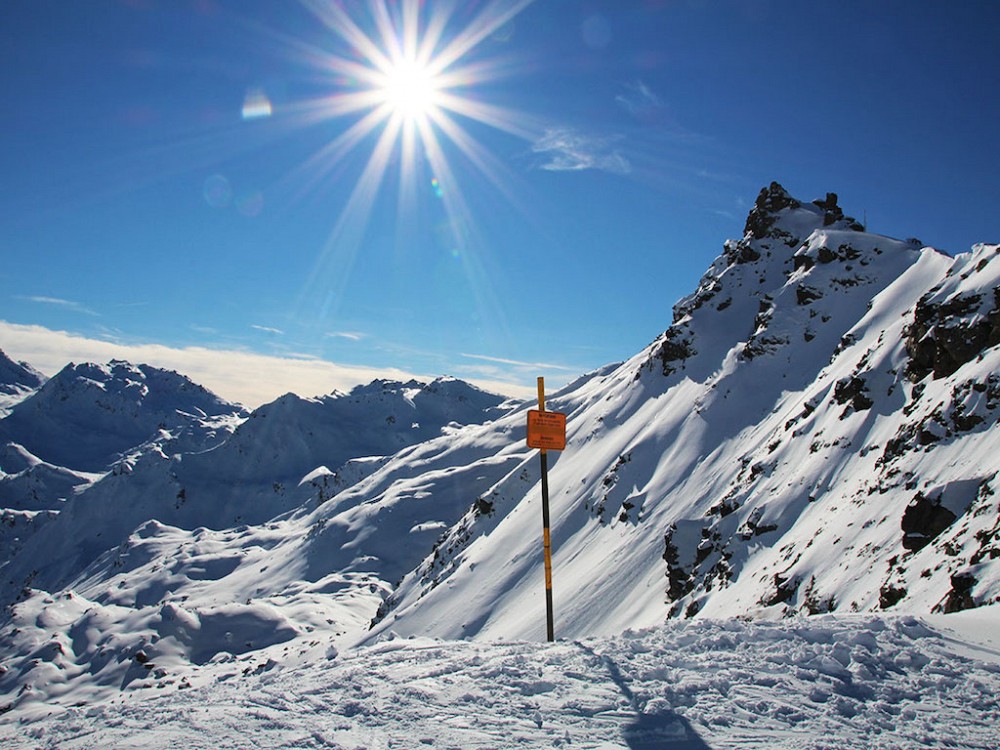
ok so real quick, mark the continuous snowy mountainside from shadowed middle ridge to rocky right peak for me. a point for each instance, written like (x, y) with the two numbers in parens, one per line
(814, 433)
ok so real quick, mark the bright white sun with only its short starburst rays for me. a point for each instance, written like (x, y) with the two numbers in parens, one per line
(410, 74)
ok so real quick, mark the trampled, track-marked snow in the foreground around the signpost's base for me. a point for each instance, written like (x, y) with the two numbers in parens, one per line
(827, 682)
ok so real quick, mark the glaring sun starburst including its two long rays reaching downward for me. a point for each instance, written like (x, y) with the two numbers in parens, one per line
(406, 74)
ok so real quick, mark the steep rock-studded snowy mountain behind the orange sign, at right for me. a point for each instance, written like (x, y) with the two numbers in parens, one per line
(764, 456)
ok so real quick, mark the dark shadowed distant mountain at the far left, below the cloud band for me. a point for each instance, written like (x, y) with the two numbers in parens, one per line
(88, 419)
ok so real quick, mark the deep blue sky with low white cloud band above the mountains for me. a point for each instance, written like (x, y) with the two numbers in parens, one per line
(180, 183)
